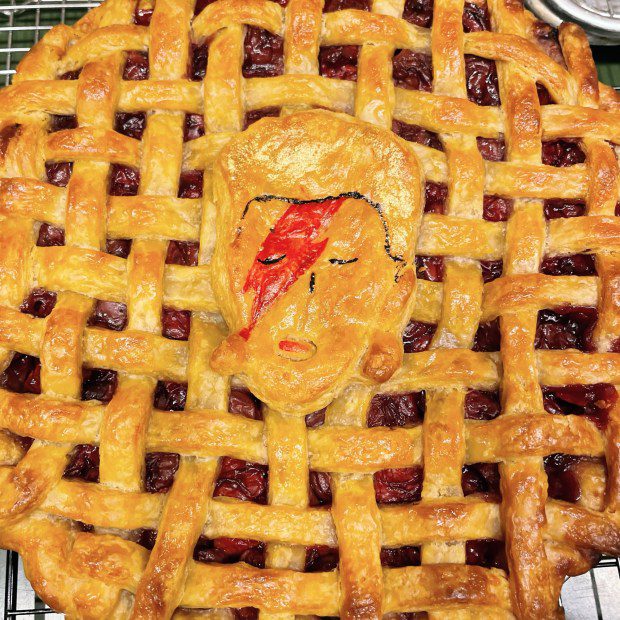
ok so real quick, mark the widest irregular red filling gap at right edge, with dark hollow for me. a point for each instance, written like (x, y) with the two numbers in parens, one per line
(592, 401)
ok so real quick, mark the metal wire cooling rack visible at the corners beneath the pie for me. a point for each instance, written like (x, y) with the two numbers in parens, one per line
(22, 23)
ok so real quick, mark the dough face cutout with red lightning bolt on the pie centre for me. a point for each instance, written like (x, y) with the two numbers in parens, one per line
(314, 256)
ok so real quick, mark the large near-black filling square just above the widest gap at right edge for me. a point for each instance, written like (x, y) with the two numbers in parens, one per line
(566, 327)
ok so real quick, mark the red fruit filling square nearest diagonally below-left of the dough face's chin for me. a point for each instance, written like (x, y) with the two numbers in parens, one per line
(243, 480)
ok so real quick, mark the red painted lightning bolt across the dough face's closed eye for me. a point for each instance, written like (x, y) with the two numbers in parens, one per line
(287, 253)
